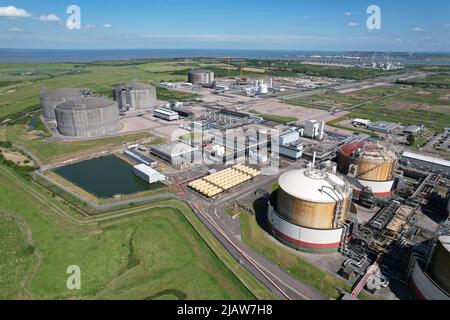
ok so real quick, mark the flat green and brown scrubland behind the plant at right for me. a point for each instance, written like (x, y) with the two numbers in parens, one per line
(407, 105)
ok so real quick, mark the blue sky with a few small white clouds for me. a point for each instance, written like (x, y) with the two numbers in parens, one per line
(414, 25)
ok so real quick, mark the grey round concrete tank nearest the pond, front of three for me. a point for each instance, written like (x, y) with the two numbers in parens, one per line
(87, 117)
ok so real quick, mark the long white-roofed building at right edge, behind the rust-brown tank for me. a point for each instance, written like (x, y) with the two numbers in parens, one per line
(426, 163)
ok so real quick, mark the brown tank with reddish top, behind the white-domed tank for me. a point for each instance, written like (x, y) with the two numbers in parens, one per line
(371, 166)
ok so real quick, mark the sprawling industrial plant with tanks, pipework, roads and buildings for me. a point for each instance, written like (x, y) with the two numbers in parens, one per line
(356, 207)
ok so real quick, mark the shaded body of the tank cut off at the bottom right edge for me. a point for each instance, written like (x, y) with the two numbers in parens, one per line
(440, 268)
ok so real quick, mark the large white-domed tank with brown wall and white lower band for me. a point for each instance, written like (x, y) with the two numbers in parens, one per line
(310, 210)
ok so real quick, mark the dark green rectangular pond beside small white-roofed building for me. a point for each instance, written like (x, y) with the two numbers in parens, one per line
(105, 177)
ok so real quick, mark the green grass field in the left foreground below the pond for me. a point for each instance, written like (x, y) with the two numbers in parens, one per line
(155, 255)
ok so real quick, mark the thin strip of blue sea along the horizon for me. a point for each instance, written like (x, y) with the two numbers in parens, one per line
(55, 55)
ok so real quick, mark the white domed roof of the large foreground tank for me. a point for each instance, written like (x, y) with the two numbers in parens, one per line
(313, 186)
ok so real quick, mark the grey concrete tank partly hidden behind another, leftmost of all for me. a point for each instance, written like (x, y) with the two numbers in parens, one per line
(51, 99)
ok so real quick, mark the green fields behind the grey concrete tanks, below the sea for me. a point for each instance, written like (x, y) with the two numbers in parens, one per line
(23, 82)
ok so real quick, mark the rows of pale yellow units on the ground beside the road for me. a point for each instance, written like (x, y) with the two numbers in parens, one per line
(222, 181)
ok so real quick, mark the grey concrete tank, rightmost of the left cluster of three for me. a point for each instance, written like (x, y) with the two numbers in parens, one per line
(135, 96)
